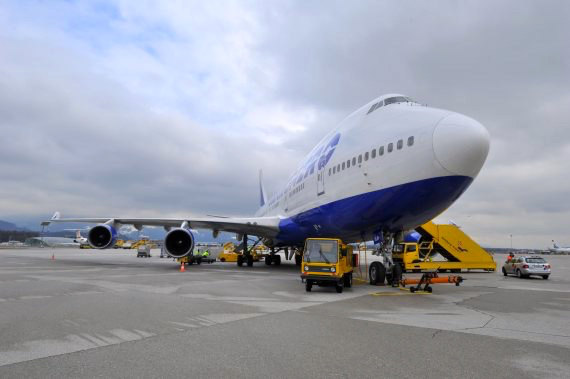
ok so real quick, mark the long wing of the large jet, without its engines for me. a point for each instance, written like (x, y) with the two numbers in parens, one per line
(257, 226)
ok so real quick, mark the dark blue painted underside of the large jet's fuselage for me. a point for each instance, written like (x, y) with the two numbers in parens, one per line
(401, 207)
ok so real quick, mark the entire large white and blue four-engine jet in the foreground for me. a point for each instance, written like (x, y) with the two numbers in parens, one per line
(388, 167)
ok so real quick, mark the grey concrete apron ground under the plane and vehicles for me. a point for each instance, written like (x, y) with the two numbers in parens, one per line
(90, 313)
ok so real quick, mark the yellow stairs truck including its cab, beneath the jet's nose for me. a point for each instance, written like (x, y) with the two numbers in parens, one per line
(459, 252)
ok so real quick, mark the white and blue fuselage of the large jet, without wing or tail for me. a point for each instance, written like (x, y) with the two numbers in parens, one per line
(375, 157)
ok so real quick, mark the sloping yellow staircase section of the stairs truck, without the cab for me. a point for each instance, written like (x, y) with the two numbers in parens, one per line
(454, 245)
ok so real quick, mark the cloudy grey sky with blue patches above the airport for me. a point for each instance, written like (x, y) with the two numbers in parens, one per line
(146, 108)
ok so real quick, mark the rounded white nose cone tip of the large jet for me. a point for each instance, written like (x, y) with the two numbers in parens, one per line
(461, 144)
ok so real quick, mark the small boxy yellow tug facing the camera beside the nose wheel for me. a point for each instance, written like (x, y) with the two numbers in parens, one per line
(327, 262)
